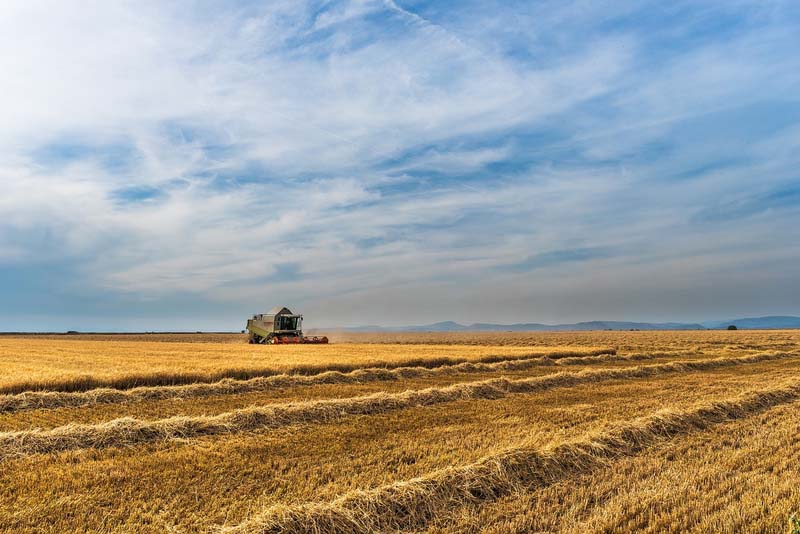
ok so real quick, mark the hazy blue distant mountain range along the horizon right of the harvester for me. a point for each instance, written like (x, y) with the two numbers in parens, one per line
(771, 322)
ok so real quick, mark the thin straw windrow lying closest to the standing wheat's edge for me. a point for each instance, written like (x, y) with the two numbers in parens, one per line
(33, 400)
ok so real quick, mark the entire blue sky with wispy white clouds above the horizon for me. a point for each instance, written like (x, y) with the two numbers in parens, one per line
(182, 165)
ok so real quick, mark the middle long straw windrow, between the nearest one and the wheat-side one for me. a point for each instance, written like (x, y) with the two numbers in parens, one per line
(130, 431)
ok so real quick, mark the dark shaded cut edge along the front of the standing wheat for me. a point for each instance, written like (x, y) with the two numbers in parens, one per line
(130, 381)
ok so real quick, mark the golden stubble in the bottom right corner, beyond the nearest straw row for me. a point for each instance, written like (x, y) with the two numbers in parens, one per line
(739, 477)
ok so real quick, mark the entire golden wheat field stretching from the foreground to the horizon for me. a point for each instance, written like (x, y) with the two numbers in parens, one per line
(497, 432)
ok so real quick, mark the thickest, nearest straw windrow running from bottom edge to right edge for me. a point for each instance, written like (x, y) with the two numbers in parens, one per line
(413, 504)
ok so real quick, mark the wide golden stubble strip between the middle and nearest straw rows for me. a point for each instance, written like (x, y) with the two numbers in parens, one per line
(190, 485)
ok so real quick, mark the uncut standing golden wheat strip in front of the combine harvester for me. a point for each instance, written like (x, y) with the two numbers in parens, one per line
(51, 365)
